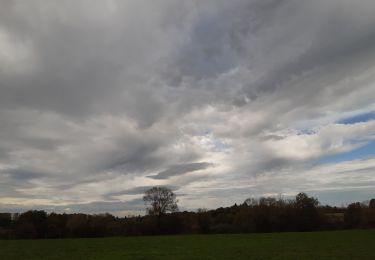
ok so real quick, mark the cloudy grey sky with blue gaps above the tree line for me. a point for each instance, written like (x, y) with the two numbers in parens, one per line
(217, 100)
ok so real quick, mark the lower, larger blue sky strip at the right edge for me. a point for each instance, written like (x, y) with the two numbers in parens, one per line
(365, 151)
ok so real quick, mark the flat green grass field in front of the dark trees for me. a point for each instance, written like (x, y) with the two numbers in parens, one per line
(356, 244)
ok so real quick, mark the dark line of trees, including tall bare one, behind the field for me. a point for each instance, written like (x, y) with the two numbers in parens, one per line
(302, 213)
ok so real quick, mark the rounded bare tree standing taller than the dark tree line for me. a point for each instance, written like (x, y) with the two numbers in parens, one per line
(160, 200)
